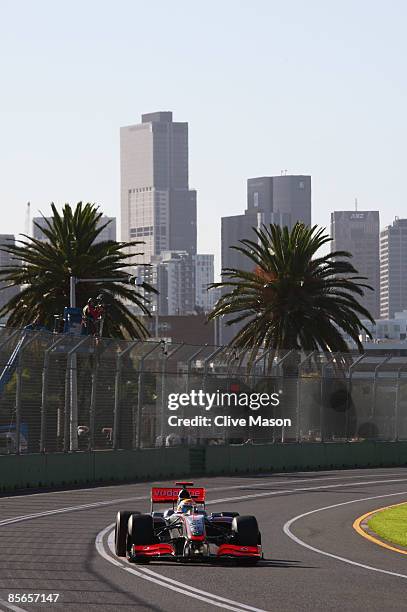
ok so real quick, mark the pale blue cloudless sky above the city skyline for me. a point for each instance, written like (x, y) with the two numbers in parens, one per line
(314, 87)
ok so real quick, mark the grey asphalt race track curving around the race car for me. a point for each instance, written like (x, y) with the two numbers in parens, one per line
(59, 543)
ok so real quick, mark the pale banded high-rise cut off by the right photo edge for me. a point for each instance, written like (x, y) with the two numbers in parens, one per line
(393, 268)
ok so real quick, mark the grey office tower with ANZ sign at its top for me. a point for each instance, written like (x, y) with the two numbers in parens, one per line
(358, 233)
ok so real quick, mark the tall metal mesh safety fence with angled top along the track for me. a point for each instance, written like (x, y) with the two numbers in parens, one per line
(75, 393)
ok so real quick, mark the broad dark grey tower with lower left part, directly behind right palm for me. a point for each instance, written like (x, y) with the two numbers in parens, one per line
(283, 200)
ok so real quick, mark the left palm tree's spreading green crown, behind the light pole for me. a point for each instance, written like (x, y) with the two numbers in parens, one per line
(43, 269)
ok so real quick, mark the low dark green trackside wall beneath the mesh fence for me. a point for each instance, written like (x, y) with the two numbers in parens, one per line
(62, 469)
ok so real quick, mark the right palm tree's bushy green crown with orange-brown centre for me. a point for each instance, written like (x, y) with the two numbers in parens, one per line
(293, 299)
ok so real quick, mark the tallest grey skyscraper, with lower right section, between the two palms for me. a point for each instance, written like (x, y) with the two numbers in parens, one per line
(157, 205)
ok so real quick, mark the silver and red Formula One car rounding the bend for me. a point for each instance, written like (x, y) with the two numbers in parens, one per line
(186, 531)
